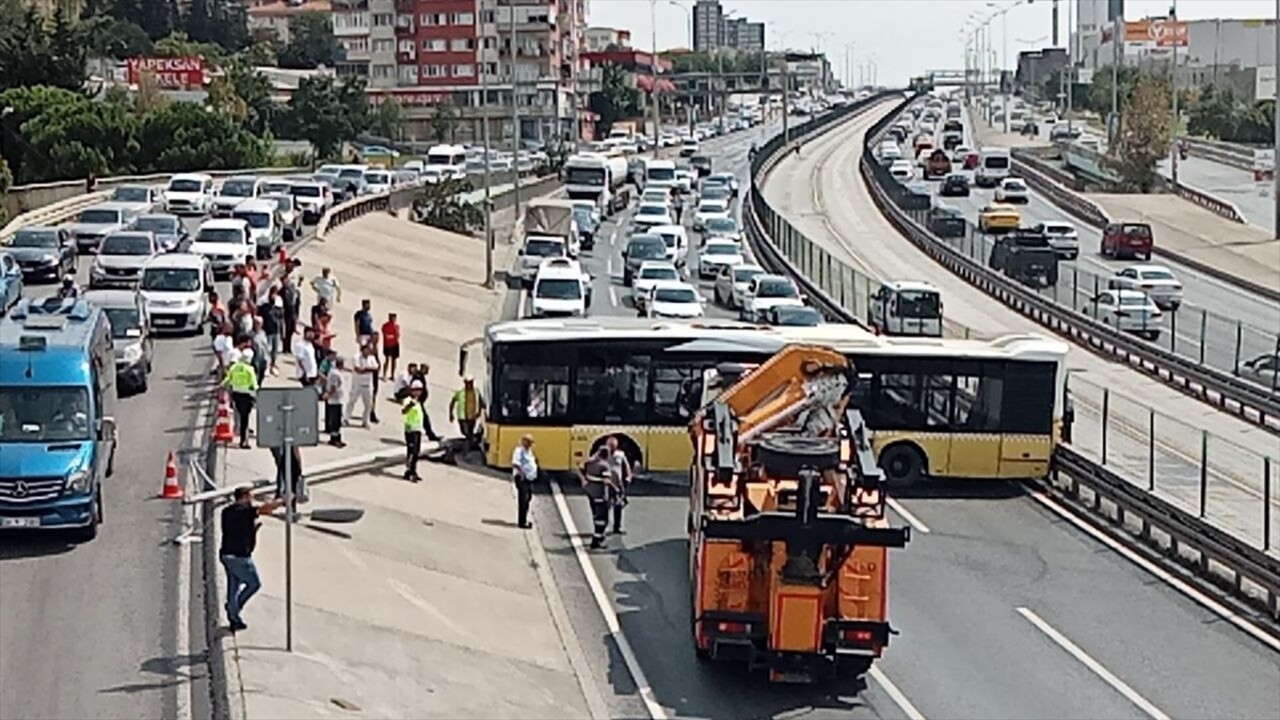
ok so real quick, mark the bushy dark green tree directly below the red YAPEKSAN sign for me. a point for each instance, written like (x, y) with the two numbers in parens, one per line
(184, 136)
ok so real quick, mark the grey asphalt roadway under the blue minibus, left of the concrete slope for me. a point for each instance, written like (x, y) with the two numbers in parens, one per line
(93, 631)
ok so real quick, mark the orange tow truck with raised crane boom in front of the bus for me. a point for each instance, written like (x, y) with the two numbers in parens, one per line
(789, 541)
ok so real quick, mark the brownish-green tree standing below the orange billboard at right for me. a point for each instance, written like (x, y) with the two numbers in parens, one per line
(1145, 136)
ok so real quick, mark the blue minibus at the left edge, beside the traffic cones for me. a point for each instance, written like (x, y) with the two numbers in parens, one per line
(58, 434)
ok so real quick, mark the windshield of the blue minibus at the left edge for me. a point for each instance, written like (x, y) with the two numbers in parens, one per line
(44, 414)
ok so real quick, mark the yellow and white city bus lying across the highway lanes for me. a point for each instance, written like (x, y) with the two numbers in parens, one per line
(938, 408)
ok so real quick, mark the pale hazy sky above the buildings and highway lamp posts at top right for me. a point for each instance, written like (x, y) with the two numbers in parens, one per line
(900, 39)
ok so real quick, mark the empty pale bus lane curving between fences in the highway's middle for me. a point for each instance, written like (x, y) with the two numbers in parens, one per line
(824, 197)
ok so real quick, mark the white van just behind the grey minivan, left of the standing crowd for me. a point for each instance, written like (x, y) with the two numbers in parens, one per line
(176, 290)
